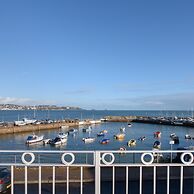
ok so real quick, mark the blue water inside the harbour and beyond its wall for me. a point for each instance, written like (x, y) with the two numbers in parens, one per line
(17, 141)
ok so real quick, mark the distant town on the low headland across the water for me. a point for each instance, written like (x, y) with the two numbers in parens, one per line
(37, 107)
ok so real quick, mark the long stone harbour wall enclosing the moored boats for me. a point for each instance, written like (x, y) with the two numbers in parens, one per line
(173, 121)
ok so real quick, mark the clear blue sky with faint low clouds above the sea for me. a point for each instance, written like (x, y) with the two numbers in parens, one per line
(98, 54)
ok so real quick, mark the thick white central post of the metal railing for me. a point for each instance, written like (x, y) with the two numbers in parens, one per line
(97, 172)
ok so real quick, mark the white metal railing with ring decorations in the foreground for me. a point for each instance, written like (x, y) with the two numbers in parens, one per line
(99, 161)
